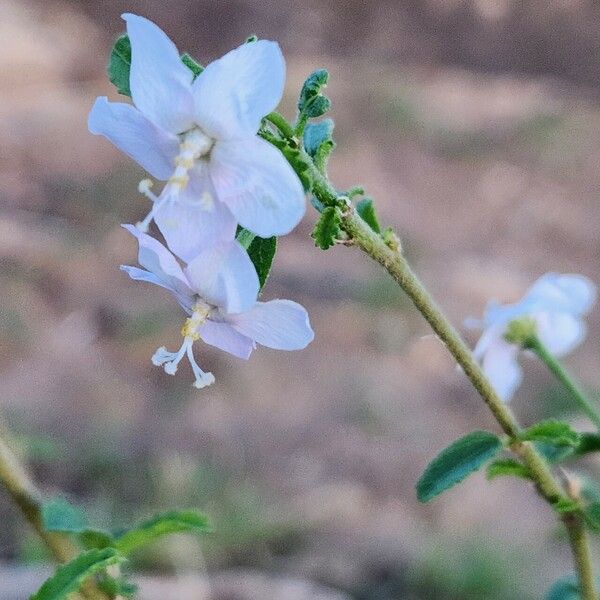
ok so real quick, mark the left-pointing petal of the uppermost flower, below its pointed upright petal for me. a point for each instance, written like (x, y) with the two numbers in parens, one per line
(130, 131)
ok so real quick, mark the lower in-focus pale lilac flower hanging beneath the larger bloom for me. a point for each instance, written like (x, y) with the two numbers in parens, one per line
(218, 290)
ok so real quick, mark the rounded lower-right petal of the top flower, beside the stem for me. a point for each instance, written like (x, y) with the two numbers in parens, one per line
(258, 185)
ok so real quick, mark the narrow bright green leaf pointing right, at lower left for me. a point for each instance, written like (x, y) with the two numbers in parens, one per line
(175, 521)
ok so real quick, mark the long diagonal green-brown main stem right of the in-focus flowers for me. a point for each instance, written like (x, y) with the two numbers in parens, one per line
(391, 259)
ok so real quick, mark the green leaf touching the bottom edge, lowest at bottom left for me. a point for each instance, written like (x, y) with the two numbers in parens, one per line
(69, 577)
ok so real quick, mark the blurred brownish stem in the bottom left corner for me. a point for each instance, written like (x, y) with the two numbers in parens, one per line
(28, 499)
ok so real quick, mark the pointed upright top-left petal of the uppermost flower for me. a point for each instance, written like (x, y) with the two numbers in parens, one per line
(161, 85)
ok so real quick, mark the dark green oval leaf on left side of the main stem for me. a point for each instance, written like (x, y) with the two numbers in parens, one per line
(463, 457)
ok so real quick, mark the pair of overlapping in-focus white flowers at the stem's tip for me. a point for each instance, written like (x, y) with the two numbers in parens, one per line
(199, 135)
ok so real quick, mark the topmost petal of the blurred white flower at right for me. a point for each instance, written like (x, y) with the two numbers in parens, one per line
(570, 293)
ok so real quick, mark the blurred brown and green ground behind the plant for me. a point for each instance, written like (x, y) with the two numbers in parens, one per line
(476, 126)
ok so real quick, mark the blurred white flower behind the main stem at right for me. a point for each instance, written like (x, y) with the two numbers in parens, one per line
(556, 305)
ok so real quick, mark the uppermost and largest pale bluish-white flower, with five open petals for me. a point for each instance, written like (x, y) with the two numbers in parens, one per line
(200, 136)
